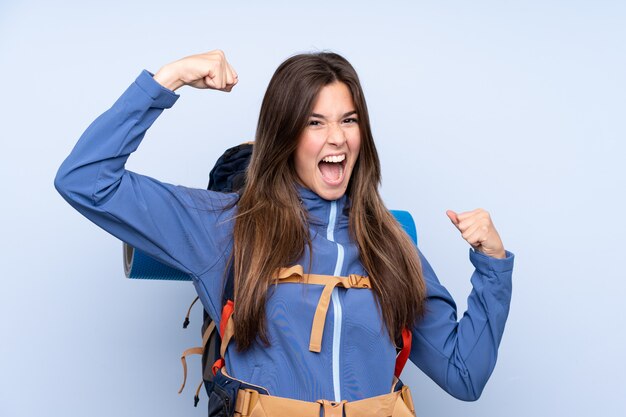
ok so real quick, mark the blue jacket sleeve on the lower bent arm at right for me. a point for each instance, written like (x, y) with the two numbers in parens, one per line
(460, 355)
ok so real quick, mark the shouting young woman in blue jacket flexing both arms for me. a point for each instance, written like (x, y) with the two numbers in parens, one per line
(310, 202)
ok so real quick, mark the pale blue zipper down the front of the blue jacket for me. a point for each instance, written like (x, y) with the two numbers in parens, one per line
(337, 310)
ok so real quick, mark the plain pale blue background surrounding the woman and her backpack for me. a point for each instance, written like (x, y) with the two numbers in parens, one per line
(515, 106)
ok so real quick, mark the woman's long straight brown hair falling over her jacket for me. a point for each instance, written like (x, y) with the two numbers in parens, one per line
(271, 229)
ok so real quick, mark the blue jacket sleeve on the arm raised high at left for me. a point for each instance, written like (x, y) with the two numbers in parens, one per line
(171, 223)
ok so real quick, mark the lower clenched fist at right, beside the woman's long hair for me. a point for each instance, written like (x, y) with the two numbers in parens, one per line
(478, 230)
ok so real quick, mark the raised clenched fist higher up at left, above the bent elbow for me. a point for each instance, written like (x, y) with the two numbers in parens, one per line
(207, 70)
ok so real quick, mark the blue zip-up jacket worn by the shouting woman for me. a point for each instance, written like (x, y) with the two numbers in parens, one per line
(191, 229)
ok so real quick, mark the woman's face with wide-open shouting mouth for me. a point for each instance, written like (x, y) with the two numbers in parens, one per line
(329, 145)
